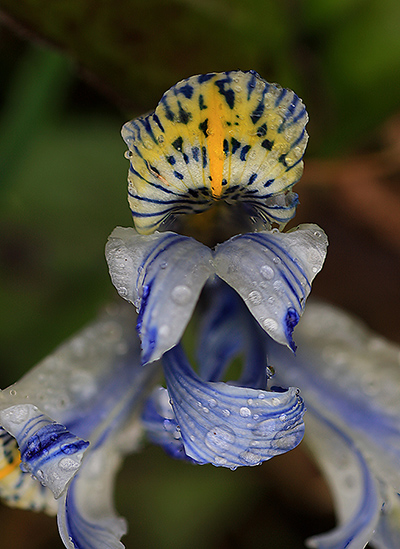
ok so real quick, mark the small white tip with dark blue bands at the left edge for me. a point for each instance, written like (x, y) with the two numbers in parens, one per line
(48, 450)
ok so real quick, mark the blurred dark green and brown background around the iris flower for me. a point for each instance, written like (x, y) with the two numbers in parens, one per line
(72, 73)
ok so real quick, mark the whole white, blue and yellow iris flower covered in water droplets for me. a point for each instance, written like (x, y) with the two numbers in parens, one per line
(210, 189)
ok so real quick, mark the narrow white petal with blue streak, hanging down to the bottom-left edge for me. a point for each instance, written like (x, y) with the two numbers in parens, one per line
(86, 517)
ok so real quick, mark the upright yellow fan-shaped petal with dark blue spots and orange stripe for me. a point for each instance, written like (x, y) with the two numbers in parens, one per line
(220, 136)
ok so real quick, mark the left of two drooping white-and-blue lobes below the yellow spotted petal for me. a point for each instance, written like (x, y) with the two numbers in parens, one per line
(163, 275)
